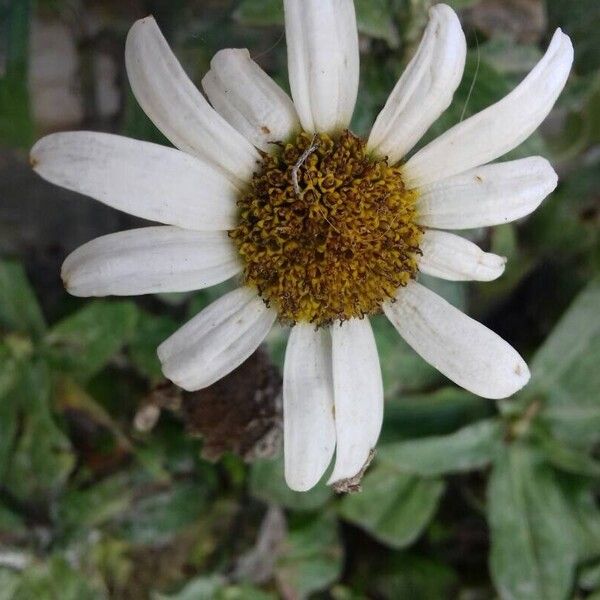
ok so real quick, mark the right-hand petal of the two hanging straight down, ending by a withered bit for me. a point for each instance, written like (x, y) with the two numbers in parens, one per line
(358, 396)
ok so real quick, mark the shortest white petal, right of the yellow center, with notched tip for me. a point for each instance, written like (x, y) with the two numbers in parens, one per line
(451, 257)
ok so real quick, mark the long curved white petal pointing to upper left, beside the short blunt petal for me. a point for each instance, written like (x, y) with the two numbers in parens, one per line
(178, 108)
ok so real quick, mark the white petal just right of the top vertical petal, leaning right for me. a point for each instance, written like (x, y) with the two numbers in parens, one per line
(425, 89)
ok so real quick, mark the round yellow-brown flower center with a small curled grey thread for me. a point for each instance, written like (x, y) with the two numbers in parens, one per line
(325, 231)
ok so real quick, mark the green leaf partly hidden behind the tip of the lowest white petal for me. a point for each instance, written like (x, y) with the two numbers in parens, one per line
(267, 483)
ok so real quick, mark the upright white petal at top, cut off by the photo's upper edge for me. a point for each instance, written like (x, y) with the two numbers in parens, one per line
(323, 61)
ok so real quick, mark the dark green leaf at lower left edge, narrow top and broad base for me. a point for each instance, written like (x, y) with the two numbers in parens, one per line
(41, 459)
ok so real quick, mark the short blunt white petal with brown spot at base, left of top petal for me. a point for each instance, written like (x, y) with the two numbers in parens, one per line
(248, 99)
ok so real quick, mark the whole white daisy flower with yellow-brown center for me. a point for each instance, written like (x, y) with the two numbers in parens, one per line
(362, 242)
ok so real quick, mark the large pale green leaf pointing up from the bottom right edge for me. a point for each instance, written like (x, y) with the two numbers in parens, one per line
(533, 548)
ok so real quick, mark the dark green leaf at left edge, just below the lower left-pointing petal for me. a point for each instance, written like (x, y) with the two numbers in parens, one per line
(19, 309)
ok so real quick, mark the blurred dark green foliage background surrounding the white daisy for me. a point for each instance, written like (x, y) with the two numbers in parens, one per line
(114, 484)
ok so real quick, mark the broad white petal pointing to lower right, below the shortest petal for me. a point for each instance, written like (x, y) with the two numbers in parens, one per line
(464, 350)
